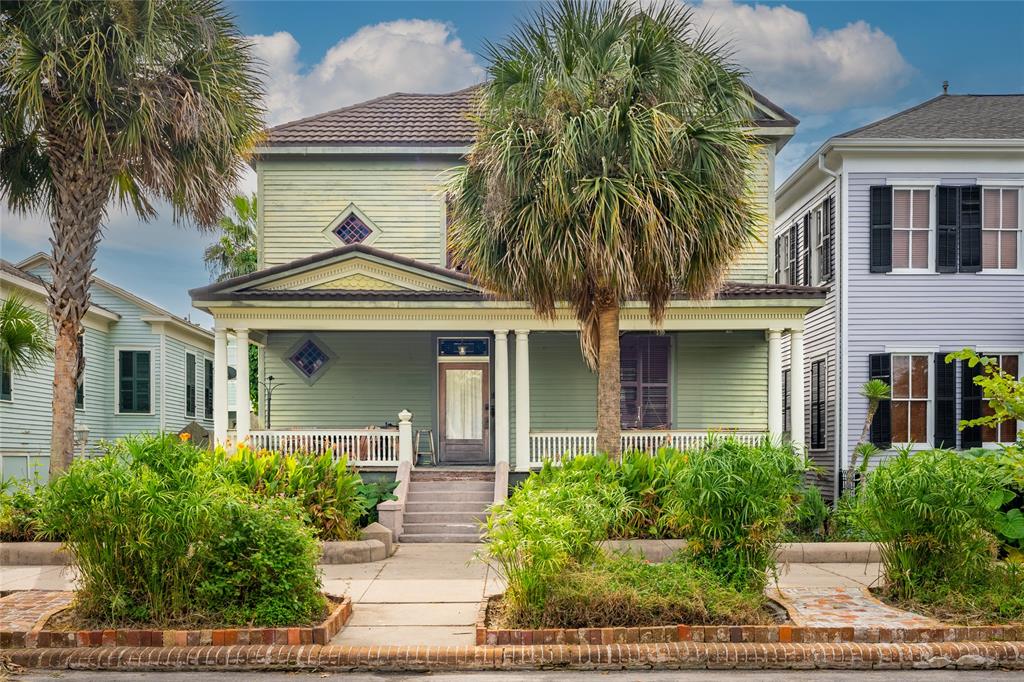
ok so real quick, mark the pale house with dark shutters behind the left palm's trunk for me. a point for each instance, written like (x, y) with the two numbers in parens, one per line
(145, 370)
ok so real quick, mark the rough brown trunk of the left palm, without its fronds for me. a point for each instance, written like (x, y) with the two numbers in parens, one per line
(80, 197)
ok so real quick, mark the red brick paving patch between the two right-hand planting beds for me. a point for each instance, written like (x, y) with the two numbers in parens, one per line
(845, 608)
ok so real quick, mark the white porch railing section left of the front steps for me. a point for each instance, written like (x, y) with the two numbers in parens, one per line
(365, 448)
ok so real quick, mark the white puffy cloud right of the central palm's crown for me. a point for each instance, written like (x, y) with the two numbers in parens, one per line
(796, 66)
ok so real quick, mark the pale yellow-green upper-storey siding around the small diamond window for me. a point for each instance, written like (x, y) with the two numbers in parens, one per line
(302, 197)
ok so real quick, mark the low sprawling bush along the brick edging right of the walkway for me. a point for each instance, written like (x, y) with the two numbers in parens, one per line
(626, 591)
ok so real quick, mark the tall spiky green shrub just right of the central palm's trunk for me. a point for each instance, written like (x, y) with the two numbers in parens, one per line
(734, 501)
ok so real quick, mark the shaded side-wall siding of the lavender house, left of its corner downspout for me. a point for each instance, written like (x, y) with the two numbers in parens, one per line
(821, 344)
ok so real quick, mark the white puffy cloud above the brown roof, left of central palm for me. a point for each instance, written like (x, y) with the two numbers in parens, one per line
(412, 56)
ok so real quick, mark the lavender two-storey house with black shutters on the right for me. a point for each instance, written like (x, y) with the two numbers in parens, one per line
(914, 225)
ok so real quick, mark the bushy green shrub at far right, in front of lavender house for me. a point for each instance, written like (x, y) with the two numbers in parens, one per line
(932, 514)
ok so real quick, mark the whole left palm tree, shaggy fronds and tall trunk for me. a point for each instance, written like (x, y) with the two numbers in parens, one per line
(149, 101)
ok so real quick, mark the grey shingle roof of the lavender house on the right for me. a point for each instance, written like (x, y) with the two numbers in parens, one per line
(952, 117)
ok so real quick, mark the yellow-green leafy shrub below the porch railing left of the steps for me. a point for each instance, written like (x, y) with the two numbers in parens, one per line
(327, 490)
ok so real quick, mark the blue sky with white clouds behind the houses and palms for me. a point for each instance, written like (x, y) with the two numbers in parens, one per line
(834, 65)
